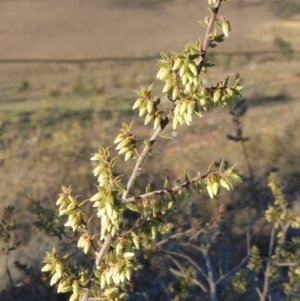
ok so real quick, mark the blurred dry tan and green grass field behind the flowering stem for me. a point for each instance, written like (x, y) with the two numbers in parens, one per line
(55, 114)
